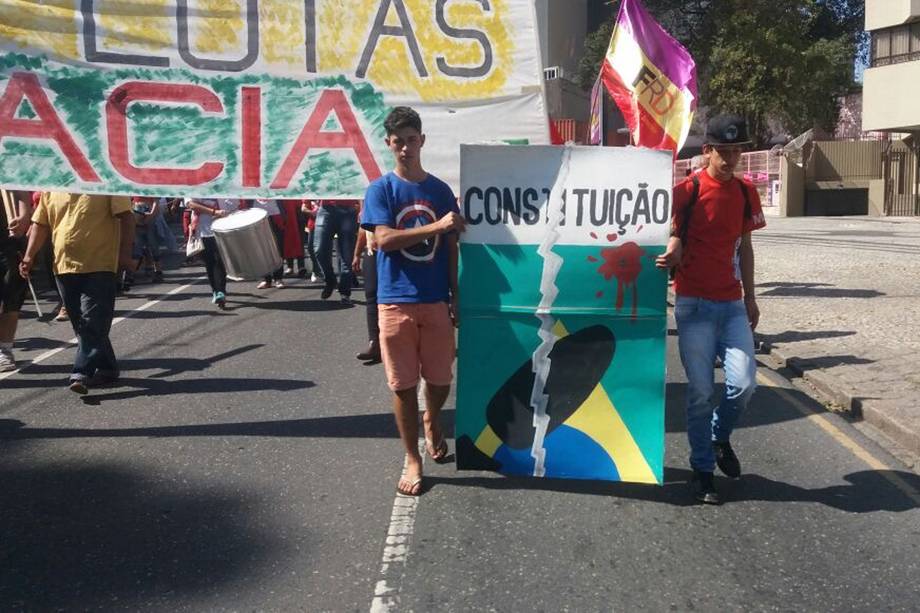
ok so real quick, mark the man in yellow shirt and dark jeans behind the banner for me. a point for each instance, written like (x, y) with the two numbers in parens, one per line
(91, 237)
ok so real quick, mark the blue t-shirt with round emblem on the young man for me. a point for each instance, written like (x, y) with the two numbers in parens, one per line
(418, 273)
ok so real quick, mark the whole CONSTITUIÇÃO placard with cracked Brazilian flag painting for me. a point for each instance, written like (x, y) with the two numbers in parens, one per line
(561, 359)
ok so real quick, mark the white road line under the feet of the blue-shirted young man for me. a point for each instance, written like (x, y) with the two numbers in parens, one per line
(396, 550)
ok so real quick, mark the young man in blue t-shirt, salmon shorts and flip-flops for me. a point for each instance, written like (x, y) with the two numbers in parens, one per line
(415, 220)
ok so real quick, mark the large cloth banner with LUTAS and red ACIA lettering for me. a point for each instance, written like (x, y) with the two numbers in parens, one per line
(255, 97)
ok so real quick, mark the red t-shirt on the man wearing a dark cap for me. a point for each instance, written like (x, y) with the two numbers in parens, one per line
(711, 264)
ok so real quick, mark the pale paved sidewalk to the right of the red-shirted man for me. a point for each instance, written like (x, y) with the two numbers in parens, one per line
(840, 306)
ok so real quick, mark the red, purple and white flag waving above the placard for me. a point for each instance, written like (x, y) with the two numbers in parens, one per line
(652, 79)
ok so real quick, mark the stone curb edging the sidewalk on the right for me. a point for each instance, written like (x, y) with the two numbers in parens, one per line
(834, 390)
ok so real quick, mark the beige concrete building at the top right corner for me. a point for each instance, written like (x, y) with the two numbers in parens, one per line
(891, 88)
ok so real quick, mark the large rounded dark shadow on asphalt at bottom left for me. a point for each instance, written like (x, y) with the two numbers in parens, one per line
(102, 537)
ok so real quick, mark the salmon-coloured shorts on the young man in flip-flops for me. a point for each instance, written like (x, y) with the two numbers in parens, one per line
(416, 339)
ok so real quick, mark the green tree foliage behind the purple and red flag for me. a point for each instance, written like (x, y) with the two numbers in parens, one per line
(772, 61)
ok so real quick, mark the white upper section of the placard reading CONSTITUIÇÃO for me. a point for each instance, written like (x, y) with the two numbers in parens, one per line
(509, 195)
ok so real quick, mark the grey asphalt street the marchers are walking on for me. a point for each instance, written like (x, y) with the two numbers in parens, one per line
(247, 462)
